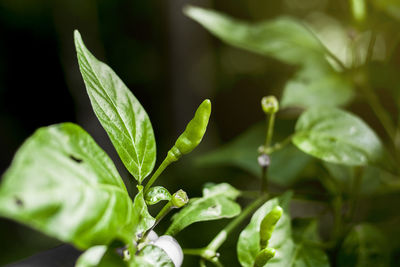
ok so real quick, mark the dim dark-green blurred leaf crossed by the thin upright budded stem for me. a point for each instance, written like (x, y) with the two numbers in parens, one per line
(286, 164)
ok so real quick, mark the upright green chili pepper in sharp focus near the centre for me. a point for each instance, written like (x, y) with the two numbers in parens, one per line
(193, 133)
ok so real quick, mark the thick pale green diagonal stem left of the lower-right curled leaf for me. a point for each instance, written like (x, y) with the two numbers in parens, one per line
(220, 238)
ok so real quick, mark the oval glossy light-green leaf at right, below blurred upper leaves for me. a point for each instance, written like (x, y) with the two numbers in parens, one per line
(337, 136)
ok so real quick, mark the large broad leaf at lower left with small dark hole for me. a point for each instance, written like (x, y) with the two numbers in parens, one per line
(63, 184)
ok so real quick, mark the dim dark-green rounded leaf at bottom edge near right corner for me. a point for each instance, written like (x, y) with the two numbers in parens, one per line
(365, 245)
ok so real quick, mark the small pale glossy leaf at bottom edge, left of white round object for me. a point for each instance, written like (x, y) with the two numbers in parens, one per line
(151, 256)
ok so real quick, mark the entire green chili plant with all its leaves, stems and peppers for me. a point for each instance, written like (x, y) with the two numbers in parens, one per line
(63, 184)
